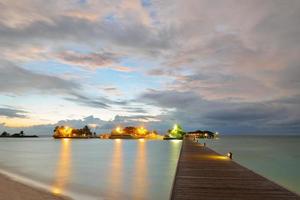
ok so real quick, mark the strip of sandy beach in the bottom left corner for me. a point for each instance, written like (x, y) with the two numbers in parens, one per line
(10, 189)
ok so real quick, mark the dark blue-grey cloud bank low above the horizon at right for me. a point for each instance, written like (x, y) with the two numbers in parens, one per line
(226, 116)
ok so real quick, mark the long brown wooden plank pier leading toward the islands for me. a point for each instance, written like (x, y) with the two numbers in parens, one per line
(204, 174)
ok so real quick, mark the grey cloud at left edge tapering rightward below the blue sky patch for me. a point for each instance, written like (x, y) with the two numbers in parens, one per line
(17, 80)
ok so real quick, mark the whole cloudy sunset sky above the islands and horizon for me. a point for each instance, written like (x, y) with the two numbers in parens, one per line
(230, 66)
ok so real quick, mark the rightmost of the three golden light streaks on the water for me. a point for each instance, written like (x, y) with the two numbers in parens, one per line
(140, 183)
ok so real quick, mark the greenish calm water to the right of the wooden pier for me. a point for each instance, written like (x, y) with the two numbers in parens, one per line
(277, 158)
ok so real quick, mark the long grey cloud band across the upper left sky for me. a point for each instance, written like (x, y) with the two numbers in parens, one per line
(123, 34)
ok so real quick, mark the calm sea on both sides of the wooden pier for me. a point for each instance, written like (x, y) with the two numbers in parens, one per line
(135, 169)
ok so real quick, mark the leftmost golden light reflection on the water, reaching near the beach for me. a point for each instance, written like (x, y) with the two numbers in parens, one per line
(62, 173)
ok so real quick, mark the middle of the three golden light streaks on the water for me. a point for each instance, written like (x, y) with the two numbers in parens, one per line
(116, 170)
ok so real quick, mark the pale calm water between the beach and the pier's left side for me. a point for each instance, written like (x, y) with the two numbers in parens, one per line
(94, 169)
